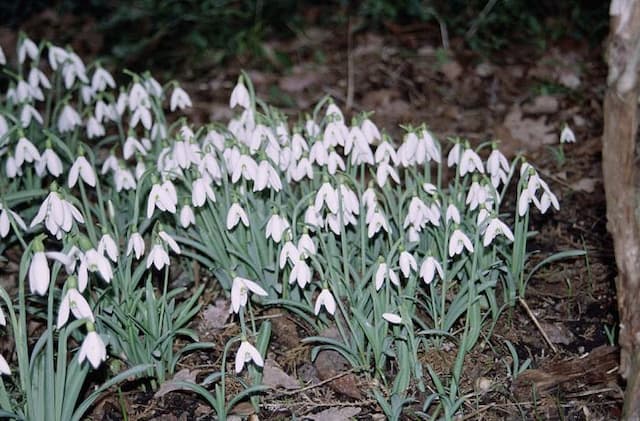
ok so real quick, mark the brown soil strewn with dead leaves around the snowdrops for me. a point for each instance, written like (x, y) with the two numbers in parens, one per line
(522, 96)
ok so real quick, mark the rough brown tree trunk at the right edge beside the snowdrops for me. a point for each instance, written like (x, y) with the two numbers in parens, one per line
(622, 187)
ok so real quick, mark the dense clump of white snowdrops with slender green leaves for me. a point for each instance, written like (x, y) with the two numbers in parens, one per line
(401, 245)
